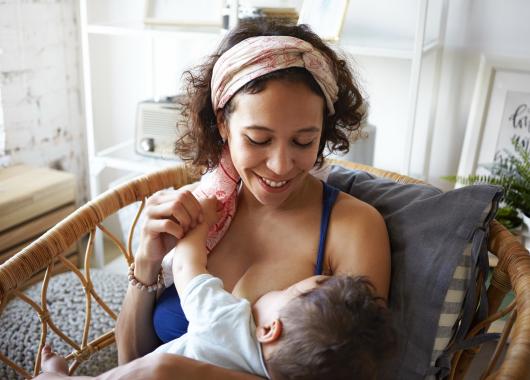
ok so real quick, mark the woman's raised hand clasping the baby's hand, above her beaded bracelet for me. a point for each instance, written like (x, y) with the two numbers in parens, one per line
(170, 214)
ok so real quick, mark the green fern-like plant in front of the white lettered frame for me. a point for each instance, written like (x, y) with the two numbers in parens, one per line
(512, 172)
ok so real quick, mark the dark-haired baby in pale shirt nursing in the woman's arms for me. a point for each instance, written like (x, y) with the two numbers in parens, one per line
(319, 327)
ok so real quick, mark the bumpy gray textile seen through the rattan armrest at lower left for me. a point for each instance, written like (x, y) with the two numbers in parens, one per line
(21, 328)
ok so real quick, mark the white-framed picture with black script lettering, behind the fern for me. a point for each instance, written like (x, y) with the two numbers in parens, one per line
(500, 112)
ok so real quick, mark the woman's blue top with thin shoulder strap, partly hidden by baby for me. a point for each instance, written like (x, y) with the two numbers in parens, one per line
(168, 318)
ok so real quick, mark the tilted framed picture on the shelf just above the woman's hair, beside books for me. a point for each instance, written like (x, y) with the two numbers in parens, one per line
(325, 17)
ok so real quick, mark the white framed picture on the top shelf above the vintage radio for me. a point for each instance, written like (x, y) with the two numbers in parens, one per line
(198, 13)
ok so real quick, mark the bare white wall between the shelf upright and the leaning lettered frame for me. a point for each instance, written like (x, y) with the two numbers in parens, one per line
(474, 27)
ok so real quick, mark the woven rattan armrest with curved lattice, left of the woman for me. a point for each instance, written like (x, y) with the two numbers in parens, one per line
(18, 270)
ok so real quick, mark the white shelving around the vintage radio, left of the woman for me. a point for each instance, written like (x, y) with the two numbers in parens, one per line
(123, 64)
